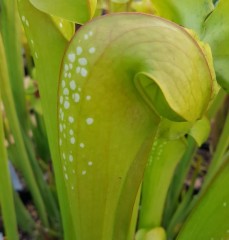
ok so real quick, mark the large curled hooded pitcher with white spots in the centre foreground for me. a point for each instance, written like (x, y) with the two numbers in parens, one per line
(109, 85)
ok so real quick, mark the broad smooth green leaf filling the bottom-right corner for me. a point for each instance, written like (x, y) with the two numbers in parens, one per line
(209, 219)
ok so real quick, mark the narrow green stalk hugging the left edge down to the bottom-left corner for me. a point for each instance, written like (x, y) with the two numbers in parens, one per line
(6, 193)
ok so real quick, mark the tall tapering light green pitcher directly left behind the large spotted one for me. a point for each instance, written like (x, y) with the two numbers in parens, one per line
(48, 44)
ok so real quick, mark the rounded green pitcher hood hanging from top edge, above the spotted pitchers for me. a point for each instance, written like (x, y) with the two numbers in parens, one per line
(73, 10)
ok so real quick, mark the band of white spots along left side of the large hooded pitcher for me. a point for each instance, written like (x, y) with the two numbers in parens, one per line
(72, 94)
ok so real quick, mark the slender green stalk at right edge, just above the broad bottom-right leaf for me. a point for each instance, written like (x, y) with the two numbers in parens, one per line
(217, 159)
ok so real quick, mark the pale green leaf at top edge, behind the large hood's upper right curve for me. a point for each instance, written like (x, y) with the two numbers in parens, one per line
(188, 13)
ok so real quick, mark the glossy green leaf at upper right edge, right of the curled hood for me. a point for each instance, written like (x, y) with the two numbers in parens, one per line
(216, 33)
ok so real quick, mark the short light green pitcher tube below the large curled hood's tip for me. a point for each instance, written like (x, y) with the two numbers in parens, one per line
(163, 160)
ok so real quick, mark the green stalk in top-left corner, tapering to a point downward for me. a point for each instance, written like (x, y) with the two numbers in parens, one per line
(10, 29)
